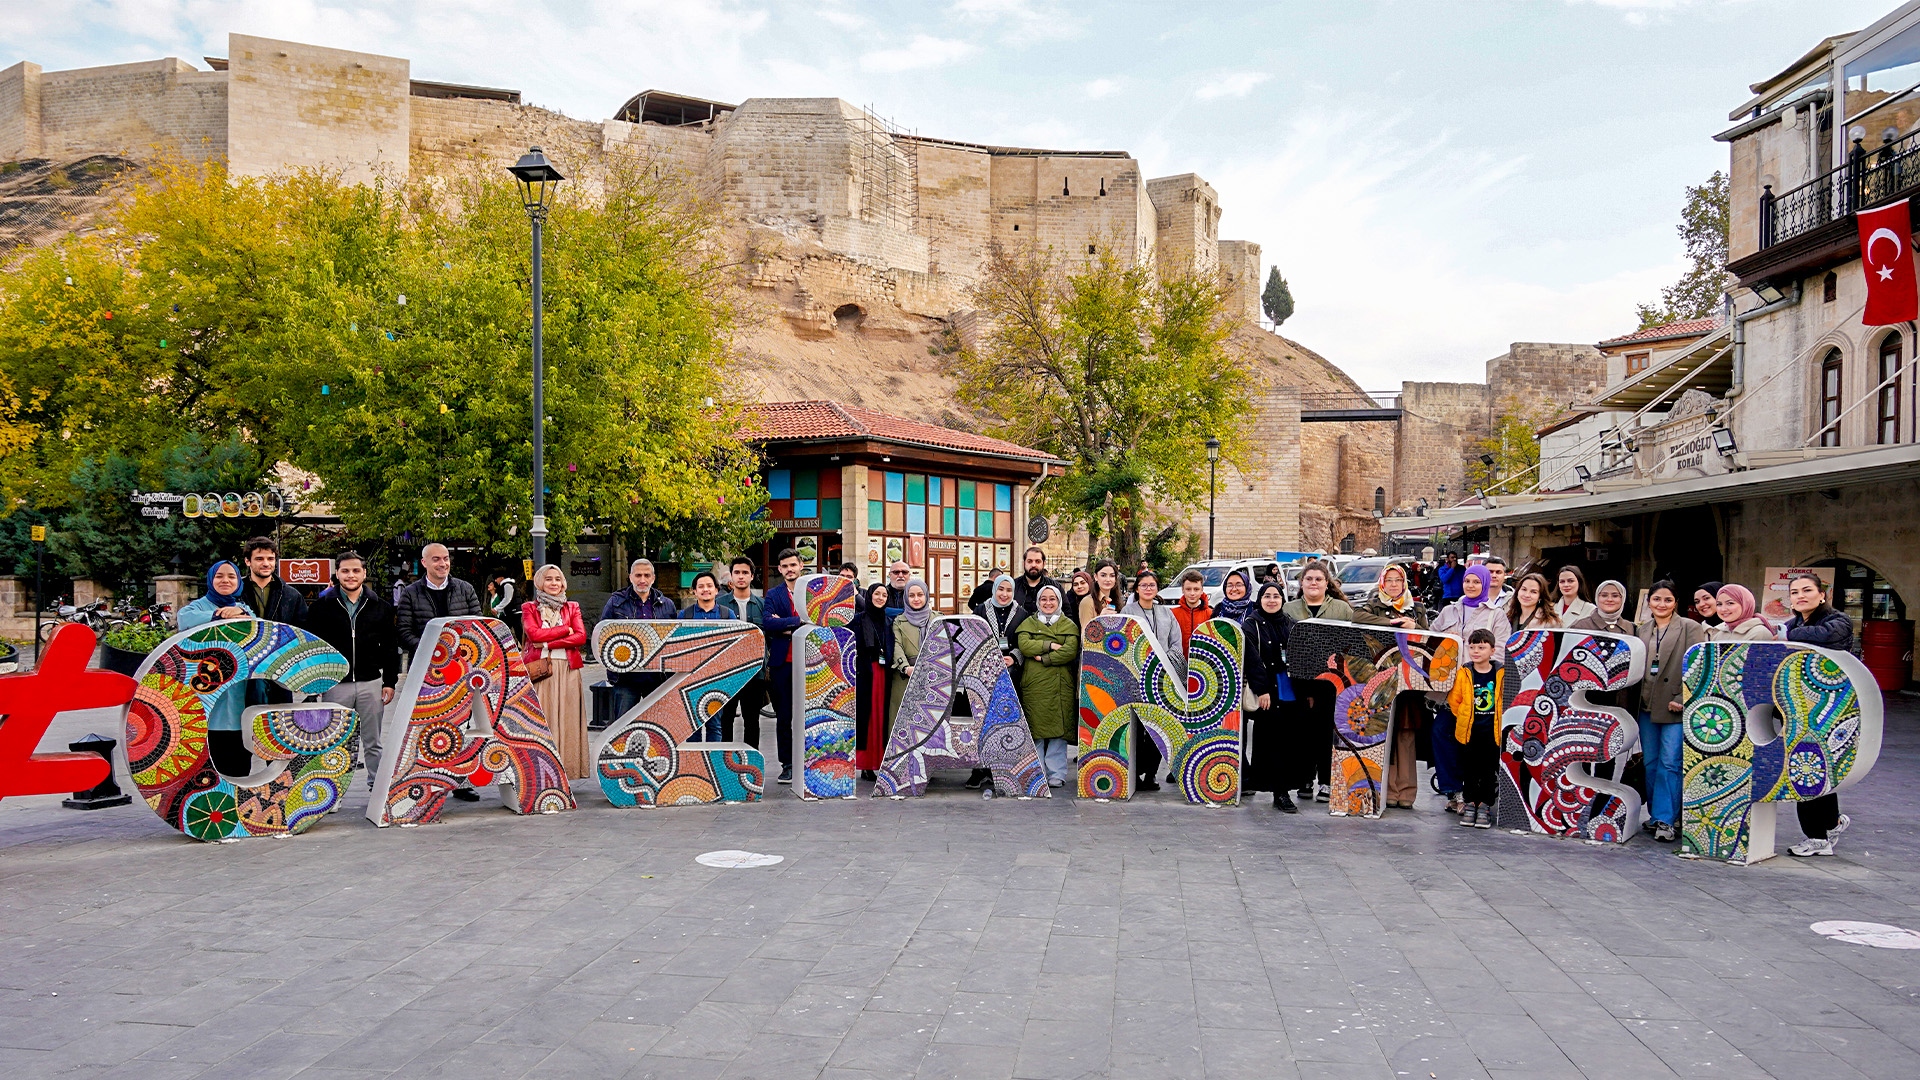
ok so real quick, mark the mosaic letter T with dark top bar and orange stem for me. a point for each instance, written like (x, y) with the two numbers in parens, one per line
(1368, 668)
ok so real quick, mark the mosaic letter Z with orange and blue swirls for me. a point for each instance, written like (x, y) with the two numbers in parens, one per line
(648, 758)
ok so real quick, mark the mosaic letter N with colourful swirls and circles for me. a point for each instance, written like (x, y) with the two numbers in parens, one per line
(1128, 677)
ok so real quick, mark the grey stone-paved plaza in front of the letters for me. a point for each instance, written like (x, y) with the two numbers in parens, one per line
(946, 939)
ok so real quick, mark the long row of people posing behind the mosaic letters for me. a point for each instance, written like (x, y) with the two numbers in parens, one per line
(1038, 627)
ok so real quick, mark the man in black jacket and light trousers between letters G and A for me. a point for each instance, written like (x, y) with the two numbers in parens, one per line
(360, 626)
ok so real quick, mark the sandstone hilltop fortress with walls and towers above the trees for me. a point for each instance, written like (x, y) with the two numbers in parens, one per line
(861, 241)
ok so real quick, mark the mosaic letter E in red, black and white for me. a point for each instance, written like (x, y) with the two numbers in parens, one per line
(1552, 735)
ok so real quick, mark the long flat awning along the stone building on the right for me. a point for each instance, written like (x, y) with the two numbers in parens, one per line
(1879, 466)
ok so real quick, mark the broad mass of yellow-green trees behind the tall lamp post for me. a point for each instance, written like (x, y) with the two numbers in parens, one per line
(379, 337)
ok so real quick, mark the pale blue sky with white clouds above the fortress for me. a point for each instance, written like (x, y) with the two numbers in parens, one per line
(1435, 180)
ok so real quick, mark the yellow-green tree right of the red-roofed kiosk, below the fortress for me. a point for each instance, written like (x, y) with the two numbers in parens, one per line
(1116, 374)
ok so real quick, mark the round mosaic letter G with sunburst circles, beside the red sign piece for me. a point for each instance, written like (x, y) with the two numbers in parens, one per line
(306, 747)
